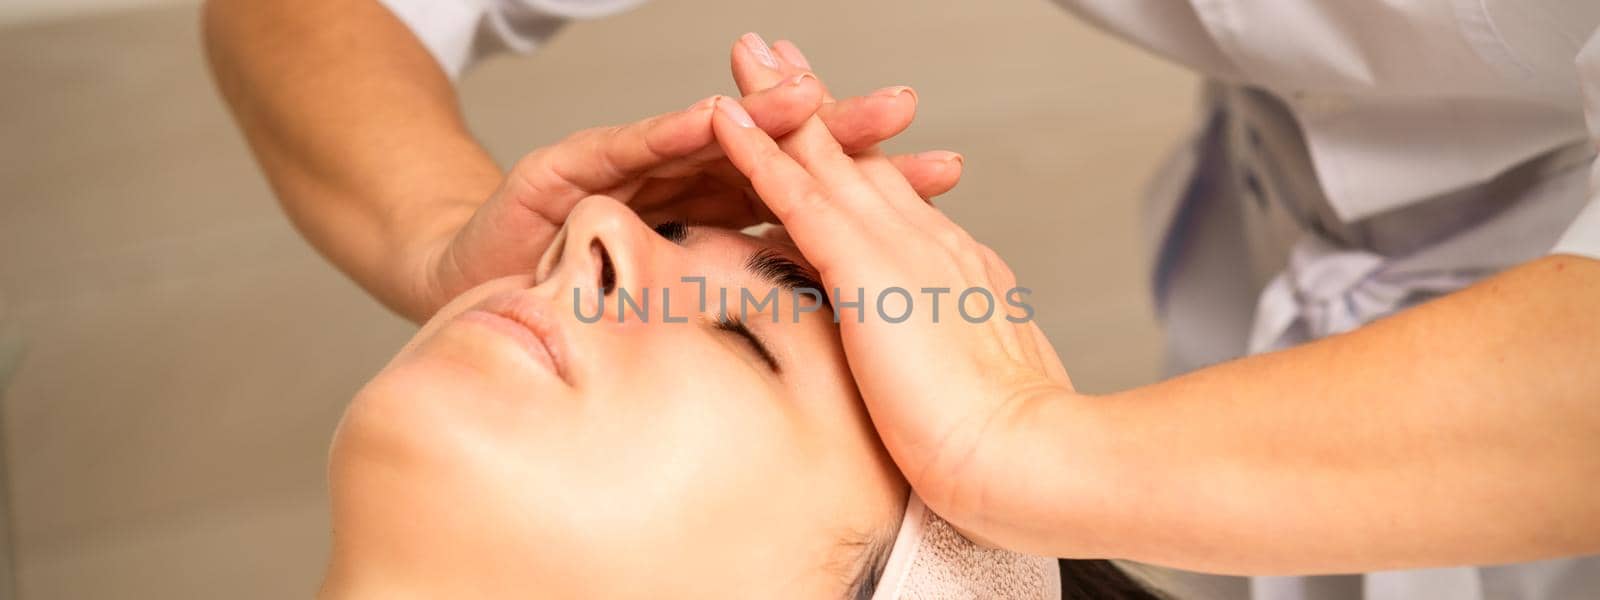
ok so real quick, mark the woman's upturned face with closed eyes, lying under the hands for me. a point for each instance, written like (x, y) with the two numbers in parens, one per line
(513, 449)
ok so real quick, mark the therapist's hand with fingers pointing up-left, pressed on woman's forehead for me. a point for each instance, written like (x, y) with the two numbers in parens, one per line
(943, 391)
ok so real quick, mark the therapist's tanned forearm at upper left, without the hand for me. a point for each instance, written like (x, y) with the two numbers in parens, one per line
(358, 130)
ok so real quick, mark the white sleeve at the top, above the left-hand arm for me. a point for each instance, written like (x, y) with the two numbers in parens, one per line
(460, 33)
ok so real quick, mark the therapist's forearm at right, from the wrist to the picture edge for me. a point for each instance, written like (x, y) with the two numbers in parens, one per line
(1465, 431)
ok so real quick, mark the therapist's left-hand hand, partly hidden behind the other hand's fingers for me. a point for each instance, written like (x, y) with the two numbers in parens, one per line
(668, 169)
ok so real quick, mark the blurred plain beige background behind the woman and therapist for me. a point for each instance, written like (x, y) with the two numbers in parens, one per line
(185, 356)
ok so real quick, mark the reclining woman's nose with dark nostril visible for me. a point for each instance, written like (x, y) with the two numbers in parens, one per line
(602, 246)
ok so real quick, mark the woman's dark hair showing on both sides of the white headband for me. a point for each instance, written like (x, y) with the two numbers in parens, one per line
(1081, 580)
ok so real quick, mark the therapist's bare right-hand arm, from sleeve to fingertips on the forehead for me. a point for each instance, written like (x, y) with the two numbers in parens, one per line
(1460, 433)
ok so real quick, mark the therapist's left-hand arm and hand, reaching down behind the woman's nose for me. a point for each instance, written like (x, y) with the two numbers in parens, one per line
(361, 135)
